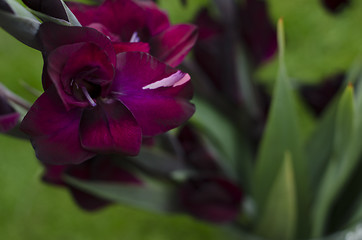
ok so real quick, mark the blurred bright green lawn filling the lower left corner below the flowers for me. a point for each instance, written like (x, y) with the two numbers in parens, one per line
(33, 210)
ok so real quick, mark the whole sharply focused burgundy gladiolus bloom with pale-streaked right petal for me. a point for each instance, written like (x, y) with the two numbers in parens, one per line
(100, 99)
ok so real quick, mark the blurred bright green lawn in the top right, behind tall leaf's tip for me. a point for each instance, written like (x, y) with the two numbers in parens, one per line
(319, 43)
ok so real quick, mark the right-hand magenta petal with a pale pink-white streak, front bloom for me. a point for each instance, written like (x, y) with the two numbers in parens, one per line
(156, 94)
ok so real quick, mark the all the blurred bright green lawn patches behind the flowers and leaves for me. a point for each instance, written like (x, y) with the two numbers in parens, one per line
(319, 44)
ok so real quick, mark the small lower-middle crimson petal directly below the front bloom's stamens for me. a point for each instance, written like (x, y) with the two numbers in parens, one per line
(110, 127)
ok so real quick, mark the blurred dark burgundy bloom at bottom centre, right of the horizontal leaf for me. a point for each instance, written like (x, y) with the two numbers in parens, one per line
(212, 199)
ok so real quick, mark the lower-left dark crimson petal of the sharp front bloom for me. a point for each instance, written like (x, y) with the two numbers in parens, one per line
(54, 131)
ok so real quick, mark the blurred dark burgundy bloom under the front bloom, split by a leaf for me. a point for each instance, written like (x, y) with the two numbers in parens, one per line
(100, 168)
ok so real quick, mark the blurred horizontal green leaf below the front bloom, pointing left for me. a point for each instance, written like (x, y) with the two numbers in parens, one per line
(147, 196)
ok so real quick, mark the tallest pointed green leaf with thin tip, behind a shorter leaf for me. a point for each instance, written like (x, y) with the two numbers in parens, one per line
(281, 134)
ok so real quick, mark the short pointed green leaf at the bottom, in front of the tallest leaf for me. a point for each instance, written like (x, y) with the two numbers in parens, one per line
(279, 218)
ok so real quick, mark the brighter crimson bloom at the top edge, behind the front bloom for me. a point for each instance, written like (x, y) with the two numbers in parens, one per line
(139, 21)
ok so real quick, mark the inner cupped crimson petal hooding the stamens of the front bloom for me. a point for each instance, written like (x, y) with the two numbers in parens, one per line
(86, 61)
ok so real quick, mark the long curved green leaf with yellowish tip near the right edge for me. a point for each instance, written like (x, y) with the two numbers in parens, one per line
(344, 158)
